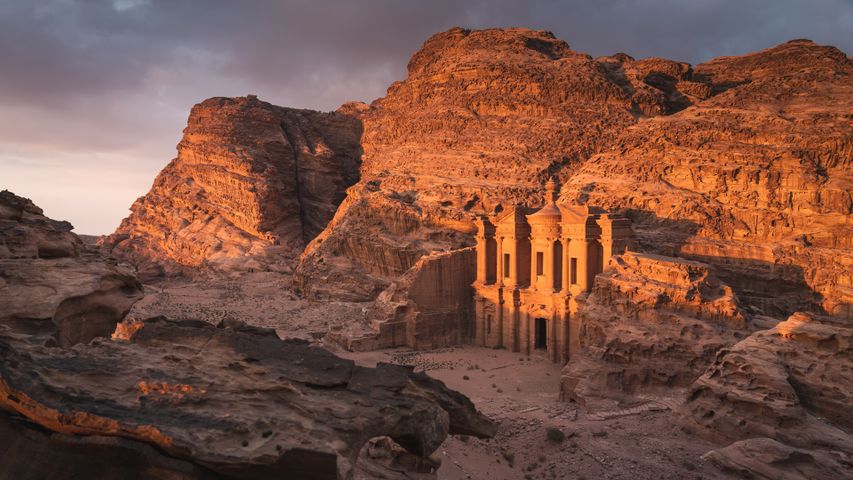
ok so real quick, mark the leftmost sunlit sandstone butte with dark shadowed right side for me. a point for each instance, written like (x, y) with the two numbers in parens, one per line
(250, 180)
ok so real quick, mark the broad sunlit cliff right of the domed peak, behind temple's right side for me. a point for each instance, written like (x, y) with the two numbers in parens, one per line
(755, 179)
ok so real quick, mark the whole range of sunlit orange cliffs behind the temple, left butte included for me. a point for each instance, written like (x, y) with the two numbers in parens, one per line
(740, 162)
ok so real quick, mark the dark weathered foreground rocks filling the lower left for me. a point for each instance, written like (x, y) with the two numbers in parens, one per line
(181, 399)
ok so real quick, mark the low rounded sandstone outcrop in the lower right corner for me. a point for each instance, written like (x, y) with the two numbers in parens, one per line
(791, 383)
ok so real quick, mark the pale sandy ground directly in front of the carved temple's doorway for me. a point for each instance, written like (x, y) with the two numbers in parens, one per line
(520, 393)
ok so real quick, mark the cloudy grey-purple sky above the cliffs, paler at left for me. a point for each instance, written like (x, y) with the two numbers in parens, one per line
(94, 93)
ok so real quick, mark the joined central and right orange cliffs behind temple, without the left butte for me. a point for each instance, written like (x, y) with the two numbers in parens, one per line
(741, 162)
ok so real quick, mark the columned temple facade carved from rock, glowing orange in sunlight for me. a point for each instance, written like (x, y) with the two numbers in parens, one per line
(534, 269)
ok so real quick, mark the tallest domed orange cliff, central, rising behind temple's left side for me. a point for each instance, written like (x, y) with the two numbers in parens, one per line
(480, 123)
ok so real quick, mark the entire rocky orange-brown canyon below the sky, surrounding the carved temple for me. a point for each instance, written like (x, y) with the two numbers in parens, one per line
(720, 333)
